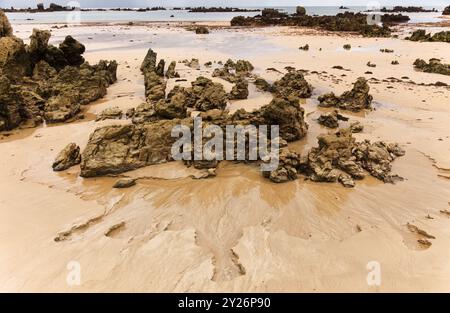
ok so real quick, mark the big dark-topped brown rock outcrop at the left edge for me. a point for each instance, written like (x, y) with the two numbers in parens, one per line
(43, 82)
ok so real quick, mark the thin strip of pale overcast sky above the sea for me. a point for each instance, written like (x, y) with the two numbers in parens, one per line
(234, 3)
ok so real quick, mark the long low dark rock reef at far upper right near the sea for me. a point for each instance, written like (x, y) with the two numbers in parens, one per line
(348, 21)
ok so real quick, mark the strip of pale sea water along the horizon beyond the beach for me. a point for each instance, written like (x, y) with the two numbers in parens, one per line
(179, 15)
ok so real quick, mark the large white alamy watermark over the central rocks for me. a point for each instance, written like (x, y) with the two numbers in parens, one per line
(238, 142)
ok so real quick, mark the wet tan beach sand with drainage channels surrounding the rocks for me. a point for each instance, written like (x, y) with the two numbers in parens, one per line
(238, 231)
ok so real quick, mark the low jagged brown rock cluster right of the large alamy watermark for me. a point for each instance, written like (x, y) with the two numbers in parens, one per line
(340, 158)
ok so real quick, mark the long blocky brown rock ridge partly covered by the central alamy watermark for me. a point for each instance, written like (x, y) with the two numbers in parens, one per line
(116, 149)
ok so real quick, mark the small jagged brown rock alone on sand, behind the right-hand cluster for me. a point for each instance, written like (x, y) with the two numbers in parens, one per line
(355, 100)
